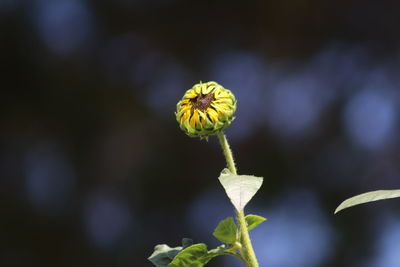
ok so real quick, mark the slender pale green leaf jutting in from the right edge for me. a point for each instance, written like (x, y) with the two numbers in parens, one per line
(368, 197)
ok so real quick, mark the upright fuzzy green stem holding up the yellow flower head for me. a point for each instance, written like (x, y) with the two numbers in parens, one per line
(247, 250)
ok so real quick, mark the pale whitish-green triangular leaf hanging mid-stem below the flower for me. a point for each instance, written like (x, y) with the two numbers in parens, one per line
(240, 188)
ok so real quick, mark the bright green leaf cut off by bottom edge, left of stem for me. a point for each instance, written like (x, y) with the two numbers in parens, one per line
(193, 256)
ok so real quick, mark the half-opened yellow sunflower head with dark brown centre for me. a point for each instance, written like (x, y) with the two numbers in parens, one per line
(205, 109)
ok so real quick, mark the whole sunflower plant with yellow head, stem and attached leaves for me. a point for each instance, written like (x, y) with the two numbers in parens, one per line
(205, 110)
